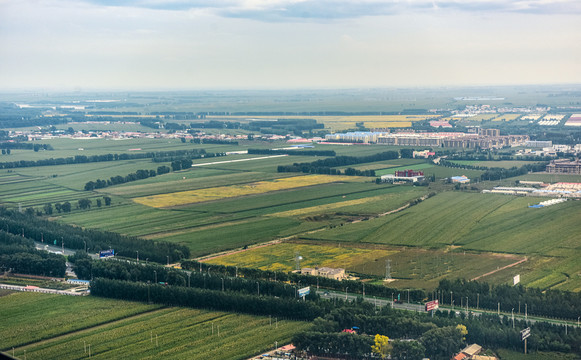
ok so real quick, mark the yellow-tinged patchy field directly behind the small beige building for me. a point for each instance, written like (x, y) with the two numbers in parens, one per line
(281, 257)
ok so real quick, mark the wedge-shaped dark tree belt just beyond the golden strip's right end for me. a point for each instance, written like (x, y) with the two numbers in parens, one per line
(326, 166)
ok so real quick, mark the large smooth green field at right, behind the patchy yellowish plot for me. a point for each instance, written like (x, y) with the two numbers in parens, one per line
(482, 223)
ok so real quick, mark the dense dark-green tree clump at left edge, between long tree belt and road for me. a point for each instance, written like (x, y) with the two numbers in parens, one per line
(19, 255)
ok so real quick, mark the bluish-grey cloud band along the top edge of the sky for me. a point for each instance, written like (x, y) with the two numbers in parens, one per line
(293, 10)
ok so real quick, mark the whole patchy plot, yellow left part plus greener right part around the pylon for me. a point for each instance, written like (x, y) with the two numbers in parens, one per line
(412, 267)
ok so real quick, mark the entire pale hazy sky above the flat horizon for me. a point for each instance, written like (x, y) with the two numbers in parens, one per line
(249, 44)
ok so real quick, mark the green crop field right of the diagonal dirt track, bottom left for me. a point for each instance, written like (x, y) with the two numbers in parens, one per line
(172, 333)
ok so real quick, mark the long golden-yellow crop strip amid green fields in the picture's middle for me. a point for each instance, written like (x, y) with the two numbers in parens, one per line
(222, 192)
